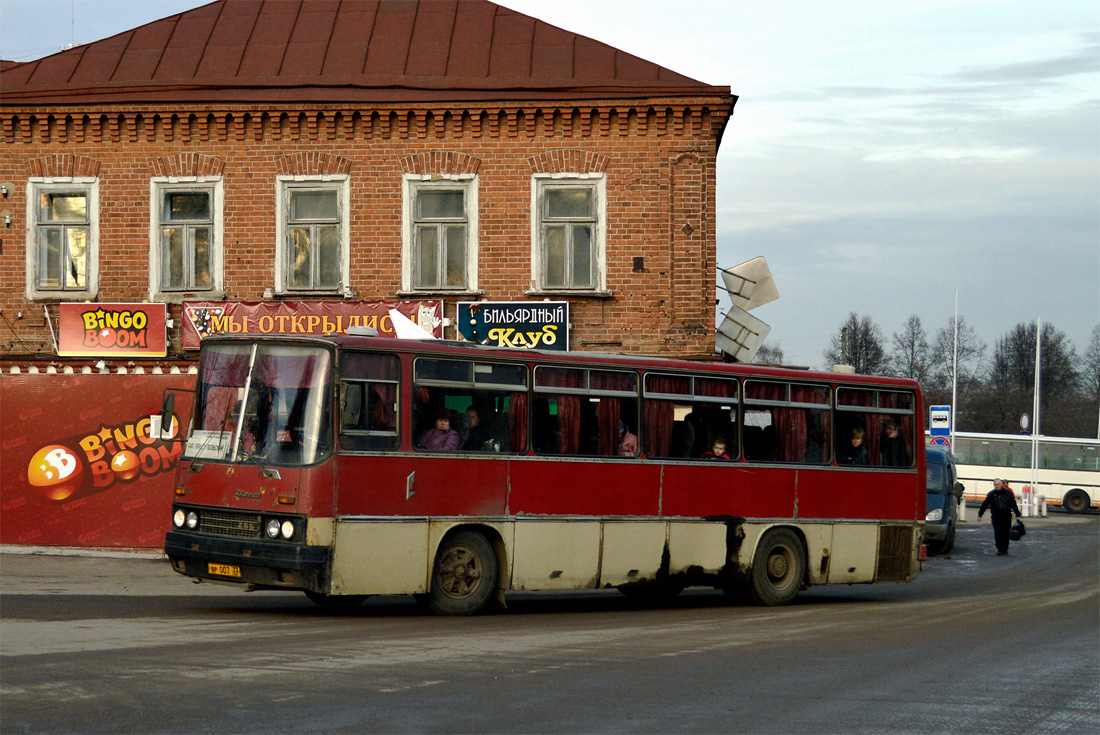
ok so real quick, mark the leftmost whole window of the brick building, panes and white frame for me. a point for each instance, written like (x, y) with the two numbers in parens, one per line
(62, 243)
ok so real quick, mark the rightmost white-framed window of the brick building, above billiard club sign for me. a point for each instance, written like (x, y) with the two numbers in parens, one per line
(569, 222)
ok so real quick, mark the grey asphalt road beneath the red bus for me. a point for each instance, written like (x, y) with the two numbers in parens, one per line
(977, 644)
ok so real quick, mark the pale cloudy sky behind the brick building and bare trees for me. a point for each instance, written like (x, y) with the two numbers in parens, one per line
(881, 156)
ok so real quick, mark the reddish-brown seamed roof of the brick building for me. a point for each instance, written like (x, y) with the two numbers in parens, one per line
(342, 51)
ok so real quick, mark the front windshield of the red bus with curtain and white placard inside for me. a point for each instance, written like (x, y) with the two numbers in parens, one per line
(262, 403)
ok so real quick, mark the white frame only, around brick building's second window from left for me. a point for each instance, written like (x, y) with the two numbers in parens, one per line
(158, 188)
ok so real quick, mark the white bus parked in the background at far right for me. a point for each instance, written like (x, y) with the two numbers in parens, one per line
(1069, 469)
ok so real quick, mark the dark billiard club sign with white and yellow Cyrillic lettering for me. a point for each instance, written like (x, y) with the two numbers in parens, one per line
(524, 325)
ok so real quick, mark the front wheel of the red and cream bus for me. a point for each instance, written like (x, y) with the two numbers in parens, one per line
(464, 578)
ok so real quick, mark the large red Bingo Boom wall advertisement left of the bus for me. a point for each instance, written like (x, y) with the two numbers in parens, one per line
(78, 466)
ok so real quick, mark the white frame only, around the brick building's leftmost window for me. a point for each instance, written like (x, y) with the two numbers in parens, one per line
(91, 187)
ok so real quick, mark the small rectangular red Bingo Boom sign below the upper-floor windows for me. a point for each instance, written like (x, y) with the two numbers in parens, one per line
(113, 331)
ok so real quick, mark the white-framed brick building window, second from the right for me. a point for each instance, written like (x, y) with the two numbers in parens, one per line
(441, 235)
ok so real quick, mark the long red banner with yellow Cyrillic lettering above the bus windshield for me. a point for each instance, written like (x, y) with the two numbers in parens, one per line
(204, 320)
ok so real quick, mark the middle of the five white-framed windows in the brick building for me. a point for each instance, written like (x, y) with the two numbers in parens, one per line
(314, 236)
